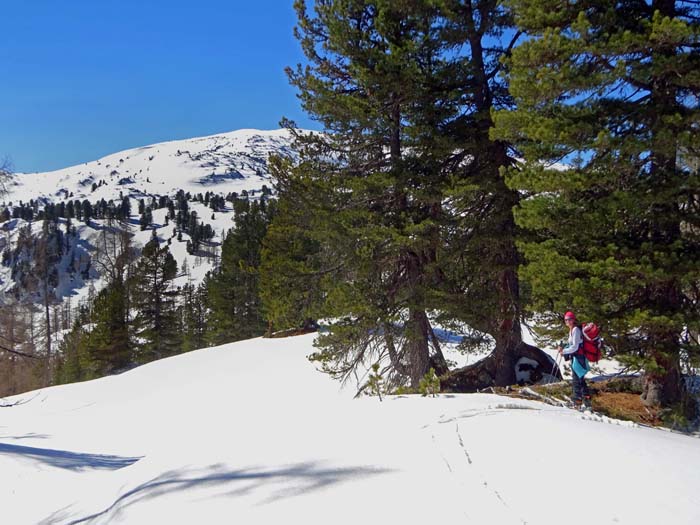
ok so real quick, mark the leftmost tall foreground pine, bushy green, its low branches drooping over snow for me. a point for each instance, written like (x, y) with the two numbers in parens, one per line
(379, 81)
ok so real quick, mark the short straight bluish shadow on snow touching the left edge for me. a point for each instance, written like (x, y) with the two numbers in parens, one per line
(68, 460)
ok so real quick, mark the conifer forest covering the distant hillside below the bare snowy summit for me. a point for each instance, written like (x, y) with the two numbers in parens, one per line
(140, 314)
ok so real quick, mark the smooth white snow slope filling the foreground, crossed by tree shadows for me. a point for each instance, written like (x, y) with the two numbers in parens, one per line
(251, 433)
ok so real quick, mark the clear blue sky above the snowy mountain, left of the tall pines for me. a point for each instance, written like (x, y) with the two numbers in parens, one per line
(80, 79)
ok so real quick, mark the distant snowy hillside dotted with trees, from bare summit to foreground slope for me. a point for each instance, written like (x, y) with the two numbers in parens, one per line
(65, 235)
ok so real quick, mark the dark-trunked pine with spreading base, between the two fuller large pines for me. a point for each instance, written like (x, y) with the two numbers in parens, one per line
(480, 292)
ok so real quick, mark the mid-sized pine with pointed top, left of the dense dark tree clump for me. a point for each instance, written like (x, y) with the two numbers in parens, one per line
(155, 302)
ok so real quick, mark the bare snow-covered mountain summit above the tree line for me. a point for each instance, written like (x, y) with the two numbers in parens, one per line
(220, 163)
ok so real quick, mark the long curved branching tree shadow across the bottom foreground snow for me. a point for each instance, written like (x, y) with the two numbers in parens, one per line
(291, 481)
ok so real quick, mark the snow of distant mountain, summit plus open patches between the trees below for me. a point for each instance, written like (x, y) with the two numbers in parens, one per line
(220, 164)
